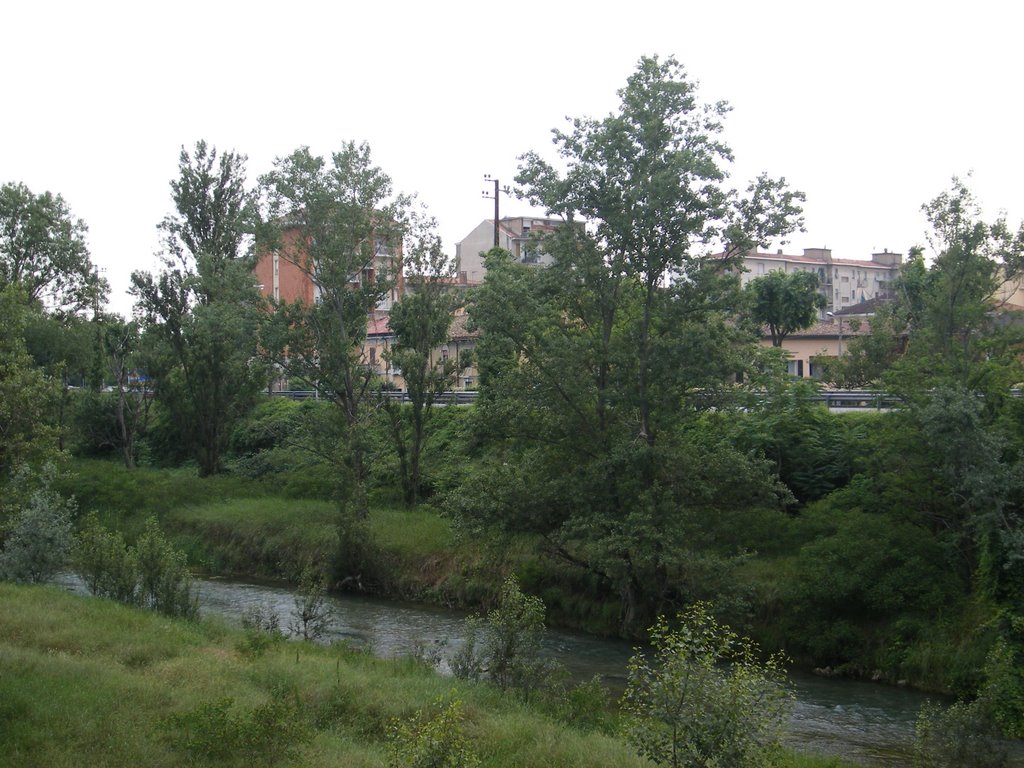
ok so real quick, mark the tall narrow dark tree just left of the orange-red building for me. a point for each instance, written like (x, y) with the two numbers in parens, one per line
(202, 313)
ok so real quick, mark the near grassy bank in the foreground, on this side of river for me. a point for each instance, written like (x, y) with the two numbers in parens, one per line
(84, 681)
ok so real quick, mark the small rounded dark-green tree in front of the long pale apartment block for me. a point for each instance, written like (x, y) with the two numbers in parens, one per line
(785, 303)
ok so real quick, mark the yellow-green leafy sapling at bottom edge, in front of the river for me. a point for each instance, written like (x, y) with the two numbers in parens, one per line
(703, 699)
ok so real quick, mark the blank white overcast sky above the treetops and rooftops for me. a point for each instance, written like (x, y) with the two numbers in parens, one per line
(870, 108)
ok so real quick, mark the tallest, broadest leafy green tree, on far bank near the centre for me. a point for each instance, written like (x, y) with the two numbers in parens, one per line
(593, 369)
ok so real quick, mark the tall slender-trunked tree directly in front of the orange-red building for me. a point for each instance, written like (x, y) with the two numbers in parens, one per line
(340, 225)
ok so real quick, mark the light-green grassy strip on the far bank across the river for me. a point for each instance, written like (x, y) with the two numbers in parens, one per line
(239, 527)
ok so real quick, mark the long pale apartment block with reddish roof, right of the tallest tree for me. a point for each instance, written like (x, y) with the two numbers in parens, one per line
(843, 282)
